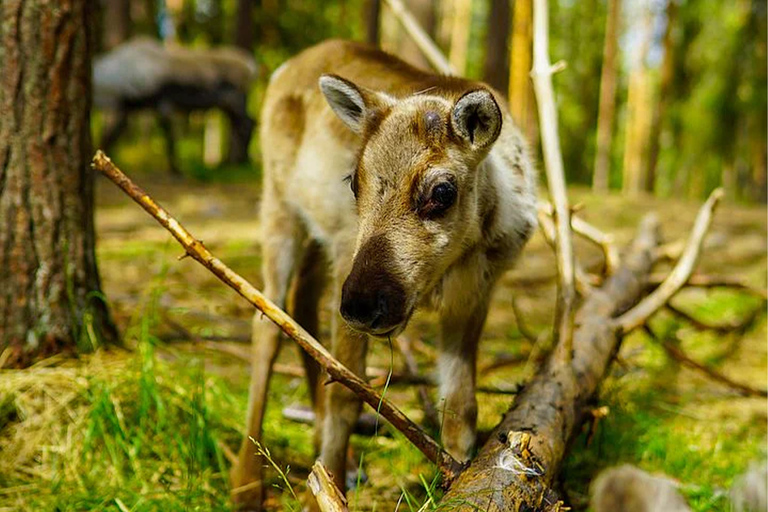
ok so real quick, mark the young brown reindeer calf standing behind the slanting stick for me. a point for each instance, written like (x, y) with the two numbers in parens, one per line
(442, 200)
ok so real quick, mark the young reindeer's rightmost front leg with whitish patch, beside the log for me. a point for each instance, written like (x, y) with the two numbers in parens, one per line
(465, 306)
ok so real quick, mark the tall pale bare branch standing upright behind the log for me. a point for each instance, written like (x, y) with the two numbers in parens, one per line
(553, 160)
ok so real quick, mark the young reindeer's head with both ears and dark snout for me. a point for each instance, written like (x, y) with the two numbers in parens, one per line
(415, 186)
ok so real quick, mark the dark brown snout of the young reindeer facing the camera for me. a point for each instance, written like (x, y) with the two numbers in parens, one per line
(372, 298)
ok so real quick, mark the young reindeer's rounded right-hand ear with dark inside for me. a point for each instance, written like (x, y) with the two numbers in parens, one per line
(476, 118)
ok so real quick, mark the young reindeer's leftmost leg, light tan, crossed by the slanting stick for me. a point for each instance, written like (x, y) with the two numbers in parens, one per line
(280, 242)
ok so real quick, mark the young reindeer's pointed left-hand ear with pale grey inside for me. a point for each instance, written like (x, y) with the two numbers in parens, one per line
(350, 102)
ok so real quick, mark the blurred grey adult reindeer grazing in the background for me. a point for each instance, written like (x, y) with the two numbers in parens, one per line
(143, 74)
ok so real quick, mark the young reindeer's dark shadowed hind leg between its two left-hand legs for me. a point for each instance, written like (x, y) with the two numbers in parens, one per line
(307, 292)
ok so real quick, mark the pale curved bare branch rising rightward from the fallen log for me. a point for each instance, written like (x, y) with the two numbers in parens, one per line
(638, 315)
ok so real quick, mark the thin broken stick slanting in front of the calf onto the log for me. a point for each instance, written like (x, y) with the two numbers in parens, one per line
(448, 466)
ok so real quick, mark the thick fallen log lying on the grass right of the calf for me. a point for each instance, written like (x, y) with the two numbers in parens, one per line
(517, 467)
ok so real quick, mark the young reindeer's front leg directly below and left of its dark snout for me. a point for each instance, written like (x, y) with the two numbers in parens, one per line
(342, 407)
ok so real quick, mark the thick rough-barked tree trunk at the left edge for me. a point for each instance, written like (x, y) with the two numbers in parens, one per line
(50, 298)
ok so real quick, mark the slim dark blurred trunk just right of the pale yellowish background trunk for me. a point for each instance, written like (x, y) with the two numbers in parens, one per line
(667, 74)
